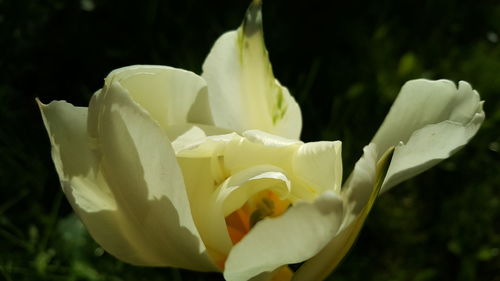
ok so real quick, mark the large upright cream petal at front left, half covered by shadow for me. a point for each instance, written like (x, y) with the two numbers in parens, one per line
(153, 213)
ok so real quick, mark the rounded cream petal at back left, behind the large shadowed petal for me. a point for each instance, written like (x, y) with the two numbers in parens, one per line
(171, 96)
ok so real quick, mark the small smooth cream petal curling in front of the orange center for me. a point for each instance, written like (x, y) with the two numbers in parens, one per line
(299, 234)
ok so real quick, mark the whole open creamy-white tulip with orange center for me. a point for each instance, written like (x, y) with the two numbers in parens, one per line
(167, 168)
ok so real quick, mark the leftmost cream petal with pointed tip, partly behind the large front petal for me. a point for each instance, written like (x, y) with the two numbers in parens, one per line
(81, 180)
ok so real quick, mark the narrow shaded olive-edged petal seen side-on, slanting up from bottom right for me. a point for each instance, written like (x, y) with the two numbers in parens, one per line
(360, 192)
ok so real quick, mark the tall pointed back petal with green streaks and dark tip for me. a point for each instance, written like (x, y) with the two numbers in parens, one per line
(243, 92)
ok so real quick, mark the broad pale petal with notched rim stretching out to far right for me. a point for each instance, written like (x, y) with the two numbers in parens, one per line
(433, 119)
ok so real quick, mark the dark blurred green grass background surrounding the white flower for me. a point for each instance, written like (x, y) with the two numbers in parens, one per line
(344, 61)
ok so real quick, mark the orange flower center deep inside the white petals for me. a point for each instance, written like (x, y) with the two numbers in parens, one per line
(262, 205)
